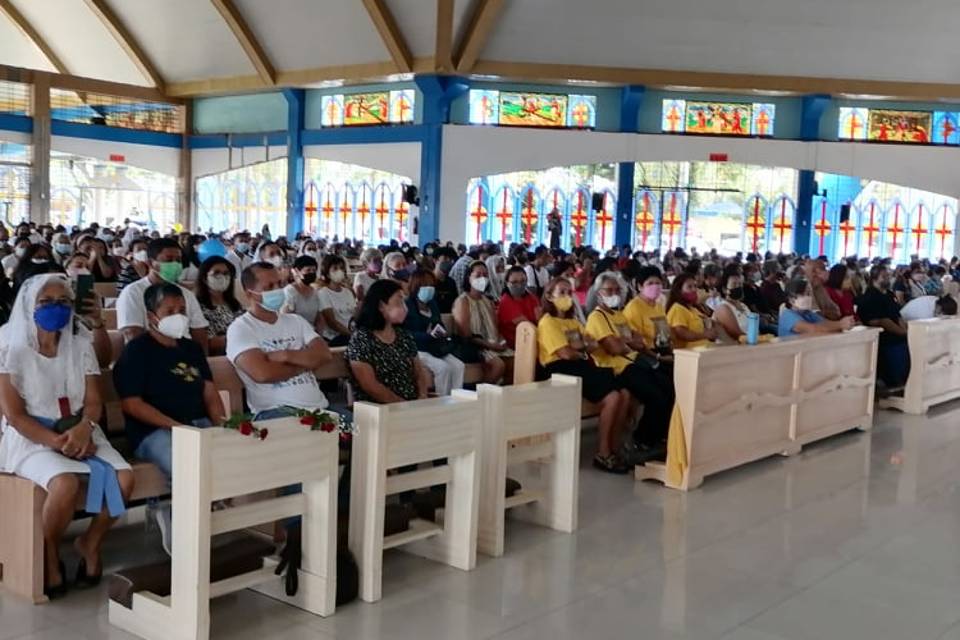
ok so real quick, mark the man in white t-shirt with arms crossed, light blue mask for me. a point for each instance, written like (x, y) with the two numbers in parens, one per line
(275, 353)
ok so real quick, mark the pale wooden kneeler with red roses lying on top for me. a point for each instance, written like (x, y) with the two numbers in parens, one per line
(217, 464)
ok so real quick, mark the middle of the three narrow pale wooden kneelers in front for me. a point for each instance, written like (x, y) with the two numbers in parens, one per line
(392, 436)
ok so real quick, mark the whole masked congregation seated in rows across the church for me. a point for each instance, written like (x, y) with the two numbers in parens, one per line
(390, 325)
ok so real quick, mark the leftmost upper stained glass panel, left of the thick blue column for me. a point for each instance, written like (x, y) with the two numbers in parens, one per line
(376, 108)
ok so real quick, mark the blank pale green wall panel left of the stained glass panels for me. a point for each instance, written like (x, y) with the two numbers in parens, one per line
(252, 113)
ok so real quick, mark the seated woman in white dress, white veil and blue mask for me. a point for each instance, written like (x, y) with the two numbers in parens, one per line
(49, 374)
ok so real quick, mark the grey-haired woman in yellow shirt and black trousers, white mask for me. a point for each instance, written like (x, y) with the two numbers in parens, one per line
(638, 370)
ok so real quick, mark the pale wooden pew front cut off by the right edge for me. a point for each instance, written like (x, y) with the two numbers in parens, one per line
(934, 366)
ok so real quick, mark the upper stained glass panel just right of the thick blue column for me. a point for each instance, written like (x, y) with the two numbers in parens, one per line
(521, 109)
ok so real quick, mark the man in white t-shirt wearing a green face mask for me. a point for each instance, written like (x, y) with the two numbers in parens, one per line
(165, 266)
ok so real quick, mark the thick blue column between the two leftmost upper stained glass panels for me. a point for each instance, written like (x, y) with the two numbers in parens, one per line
(436, 94)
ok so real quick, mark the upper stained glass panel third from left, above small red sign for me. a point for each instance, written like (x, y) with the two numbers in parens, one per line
(718, 118)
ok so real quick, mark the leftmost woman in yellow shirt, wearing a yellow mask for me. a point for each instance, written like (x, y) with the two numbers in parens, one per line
(563, 349)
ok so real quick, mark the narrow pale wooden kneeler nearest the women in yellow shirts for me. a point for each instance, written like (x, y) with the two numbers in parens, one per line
(513, 417)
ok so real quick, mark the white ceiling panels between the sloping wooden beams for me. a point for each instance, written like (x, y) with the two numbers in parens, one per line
(187, 40)
